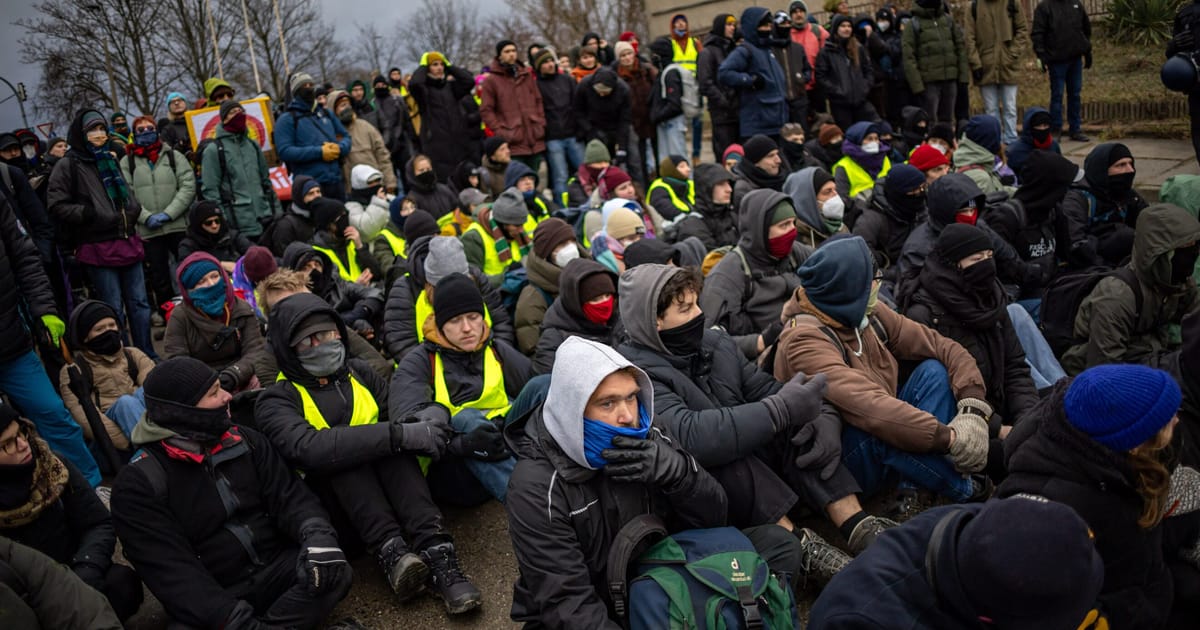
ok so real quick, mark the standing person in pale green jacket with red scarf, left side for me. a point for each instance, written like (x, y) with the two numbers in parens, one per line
(164, 182)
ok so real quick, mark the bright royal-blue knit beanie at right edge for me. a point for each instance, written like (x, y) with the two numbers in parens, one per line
(1121, 406)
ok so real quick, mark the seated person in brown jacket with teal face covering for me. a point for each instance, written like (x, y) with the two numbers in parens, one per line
(214, 326)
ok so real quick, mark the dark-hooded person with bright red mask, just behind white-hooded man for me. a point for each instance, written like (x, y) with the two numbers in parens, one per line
(581, 283)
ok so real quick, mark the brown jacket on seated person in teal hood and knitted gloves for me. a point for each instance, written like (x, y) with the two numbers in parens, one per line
(866, 391)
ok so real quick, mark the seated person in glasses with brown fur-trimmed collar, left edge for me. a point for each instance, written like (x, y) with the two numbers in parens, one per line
(47, 505)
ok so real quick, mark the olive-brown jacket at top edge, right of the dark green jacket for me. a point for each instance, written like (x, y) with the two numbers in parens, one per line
(997, 38)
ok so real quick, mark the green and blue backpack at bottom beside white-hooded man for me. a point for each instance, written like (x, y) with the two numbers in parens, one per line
(699, 579)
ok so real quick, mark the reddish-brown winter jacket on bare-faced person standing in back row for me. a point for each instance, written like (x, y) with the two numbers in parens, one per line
(512, 109)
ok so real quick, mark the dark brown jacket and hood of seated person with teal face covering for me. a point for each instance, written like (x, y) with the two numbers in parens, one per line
(232, 343)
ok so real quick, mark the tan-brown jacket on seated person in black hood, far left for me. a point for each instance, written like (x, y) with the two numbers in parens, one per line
(111, 380)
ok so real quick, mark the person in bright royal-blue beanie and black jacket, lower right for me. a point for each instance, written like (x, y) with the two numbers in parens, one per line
(1095, 446)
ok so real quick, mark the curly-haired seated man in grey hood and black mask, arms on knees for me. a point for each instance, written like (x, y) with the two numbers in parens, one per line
(739, 422)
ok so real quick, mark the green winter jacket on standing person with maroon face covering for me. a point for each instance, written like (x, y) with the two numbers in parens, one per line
(248, 178)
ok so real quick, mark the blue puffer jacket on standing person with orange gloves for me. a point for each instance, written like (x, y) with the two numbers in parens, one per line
(299, 135)
